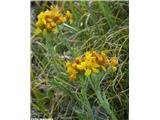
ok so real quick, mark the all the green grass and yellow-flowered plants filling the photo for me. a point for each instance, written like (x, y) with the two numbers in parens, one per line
(96, 26)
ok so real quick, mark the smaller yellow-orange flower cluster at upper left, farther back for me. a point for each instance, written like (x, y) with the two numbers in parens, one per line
(48, 20)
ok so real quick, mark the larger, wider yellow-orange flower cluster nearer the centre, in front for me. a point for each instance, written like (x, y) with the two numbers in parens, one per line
(92, 61)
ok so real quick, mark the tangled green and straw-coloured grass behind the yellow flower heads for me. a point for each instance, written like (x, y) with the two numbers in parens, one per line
(101, 26)
